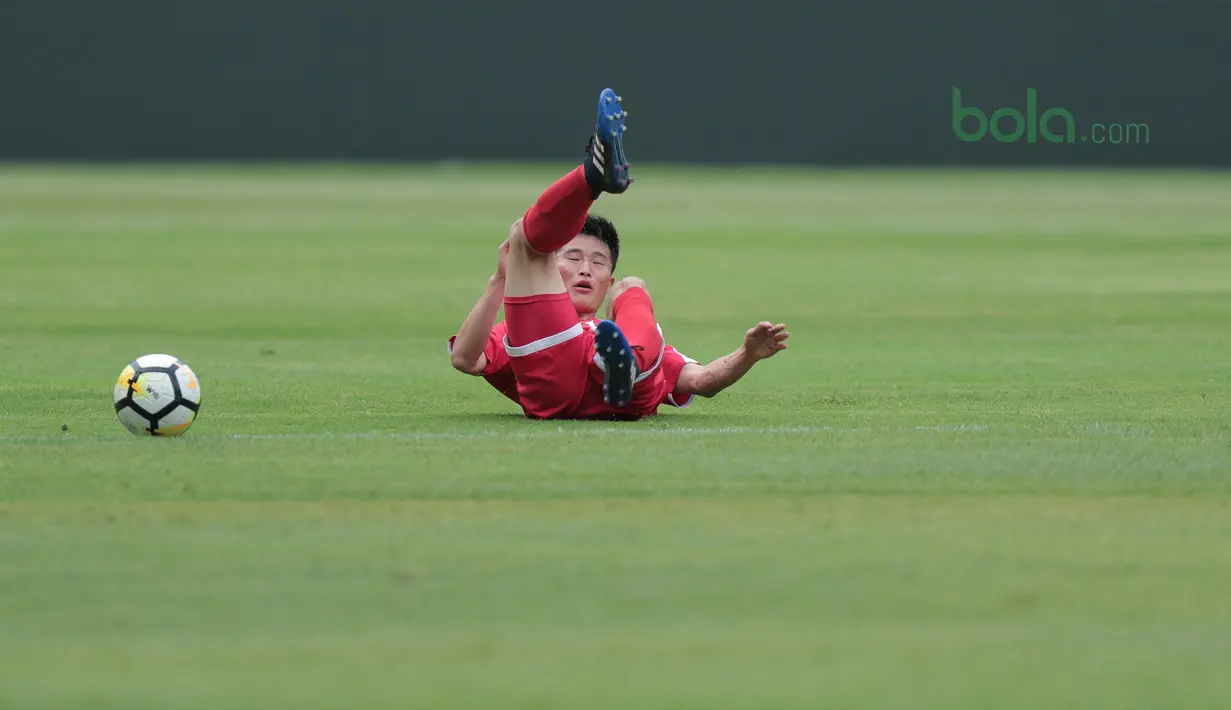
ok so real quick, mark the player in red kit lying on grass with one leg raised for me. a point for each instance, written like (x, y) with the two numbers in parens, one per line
(553, 274)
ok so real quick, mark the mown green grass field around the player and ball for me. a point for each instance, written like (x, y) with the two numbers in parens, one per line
(992, 472)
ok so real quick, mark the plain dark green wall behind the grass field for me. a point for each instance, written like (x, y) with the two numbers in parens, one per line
(835, 83)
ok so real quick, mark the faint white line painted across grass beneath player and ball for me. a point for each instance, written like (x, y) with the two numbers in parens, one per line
(536, 433)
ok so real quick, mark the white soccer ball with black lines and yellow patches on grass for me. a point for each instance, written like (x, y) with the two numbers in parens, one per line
(158, 396)
